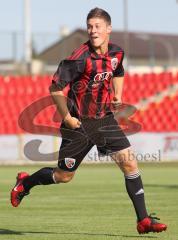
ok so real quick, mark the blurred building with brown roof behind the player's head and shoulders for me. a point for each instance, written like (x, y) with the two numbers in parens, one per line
(145, 49)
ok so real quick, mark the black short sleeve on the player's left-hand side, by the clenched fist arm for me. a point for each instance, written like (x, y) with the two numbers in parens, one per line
(68, 71)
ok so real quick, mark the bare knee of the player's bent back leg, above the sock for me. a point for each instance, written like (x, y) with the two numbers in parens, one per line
(63, 177)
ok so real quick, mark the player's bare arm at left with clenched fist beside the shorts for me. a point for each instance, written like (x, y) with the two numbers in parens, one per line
(61, 103)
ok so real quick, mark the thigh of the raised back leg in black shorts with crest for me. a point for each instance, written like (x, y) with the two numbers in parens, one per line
(74, 147)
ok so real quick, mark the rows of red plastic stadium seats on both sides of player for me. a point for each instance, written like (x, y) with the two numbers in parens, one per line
(18, 92)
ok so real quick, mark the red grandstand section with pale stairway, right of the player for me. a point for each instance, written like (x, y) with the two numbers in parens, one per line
(156, 98)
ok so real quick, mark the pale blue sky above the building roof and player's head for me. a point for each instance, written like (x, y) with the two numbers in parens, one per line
(49, 15)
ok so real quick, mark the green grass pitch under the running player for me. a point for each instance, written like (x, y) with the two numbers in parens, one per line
(93, 206)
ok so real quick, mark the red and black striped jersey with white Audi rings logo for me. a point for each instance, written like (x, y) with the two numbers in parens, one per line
(89, 76)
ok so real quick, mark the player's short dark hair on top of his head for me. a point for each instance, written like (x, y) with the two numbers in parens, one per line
(99, 13)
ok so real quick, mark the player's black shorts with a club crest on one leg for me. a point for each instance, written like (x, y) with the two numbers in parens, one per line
(104, 133)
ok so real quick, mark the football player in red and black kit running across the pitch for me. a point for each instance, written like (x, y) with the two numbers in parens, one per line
(92, 71)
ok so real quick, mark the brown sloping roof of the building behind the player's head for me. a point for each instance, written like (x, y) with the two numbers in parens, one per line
(139, 45)
